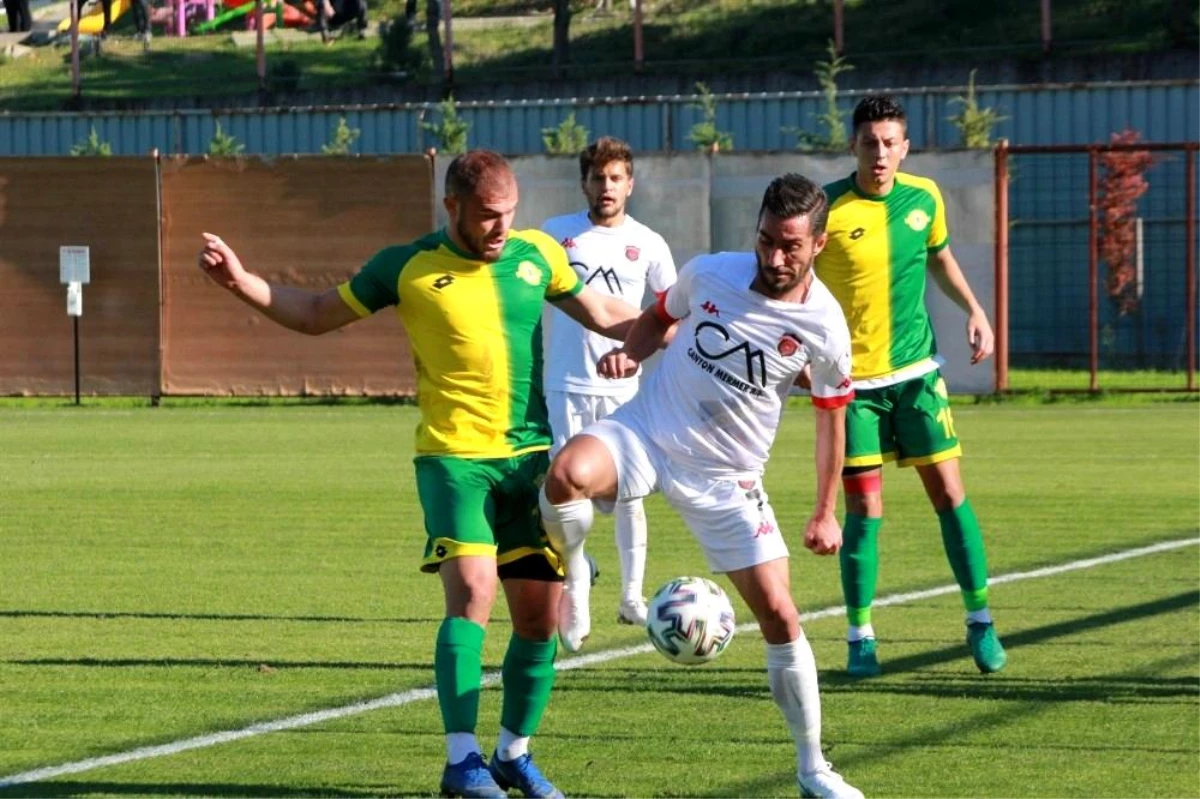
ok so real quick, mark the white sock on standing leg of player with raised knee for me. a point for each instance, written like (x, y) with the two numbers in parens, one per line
(793, 674)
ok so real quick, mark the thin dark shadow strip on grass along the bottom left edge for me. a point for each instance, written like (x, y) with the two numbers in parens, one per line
(69, 790)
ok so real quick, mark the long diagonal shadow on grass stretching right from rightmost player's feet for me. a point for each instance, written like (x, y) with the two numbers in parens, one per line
(1015, 641)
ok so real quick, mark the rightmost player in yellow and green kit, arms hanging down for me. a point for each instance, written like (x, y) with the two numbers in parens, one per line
(886, 229)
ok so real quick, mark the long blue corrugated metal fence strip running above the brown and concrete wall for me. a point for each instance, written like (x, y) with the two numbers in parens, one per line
(1049, 115)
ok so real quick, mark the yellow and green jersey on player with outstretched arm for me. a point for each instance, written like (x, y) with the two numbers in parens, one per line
(476, 333)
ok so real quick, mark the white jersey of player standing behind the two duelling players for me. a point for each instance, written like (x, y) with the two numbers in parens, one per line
(622, 262)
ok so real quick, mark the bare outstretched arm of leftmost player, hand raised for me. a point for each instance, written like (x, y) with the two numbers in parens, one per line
(308, 313)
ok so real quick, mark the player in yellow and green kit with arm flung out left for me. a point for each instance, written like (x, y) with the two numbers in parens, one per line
(471, 299)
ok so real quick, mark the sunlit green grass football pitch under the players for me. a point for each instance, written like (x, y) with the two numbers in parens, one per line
(173, 573)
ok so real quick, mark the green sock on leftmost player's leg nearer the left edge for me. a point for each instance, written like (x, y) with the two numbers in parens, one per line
(459, 666)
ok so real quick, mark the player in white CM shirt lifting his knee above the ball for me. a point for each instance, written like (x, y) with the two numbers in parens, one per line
(701, 428)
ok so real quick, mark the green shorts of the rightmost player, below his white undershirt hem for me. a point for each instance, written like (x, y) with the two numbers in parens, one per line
(909, 423)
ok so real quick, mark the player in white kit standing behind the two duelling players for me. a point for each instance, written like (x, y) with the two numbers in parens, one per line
(615, 255)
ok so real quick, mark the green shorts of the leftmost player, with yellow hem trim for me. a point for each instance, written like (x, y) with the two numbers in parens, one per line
(485, 507)
